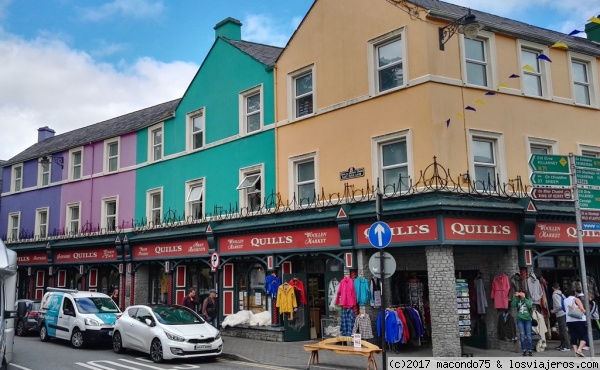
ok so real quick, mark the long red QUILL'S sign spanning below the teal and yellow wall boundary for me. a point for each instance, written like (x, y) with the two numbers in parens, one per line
(328, 237)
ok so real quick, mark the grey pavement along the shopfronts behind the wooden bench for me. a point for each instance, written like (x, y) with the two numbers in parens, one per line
(293, 355)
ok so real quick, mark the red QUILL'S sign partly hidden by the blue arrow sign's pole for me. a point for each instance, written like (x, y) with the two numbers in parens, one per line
(404, 231)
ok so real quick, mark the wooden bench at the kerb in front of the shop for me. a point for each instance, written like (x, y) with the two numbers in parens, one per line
(344, 346)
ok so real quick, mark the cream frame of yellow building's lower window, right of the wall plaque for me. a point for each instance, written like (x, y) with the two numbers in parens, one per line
(377, 144)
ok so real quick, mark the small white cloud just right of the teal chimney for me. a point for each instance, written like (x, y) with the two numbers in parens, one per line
(264, 30)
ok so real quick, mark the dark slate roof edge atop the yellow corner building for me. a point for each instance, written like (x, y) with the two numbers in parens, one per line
(442, 10)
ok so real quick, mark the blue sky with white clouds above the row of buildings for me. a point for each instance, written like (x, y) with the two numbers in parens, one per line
(70, 63)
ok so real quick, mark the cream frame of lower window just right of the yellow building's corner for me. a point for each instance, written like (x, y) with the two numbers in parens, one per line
(498, 146)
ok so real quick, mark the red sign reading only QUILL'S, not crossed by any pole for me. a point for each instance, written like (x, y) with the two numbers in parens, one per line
(480, 230)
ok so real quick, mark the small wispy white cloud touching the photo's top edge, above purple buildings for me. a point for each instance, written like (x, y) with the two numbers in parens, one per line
(139, 9)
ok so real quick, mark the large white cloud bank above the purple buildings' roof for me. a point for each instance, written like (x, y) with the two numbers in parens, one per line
(45, 83)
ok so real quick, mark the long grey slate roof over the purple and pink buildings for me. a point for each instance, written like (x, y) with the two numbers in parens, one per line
(113, 127)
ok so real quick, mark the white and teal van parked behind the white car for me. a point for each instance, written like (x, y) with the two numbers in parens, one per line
(78, 316)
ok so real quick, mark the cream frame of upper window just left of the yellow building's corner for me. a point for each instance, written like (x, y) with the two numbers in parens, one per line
(373, 64)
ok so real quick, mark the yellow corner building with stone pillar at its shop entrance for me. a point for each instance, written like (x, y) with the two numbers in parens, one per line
(371, 91)
